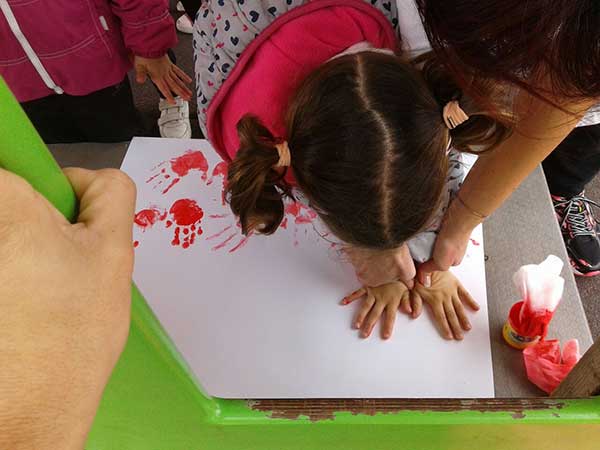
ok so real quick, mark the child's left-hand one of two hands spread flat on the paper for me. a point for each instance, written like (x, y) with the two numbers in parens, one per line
(388, 298)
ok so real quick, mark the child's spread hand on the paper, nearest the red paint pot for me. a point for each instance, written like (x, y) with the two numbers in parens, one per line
(446, 297)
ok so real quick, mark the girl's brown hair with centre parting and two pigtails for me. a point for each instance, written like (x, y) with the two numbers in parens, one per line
(368, 146)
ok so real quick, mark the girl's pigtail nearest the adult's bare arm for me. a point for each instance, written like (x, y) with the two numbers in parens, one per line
(488, 124)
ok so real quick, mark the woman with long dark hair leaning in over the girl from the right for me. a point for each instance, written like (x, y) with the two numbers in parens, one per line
(548, 53)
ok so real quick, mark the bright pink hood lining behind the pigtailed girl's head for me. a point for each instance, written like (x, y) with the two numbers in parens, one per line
(271, 67)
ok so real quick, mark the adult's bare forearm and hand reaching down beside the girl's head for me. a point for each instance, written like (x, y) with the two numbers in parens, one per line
(496, 175)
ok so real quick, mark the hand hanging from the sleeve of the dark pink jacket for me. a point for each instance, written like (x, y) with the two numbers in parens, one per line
(168, 78)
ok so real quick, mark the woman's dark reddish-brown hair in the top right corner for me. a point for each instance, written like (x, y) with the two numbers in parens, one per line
(551, 48)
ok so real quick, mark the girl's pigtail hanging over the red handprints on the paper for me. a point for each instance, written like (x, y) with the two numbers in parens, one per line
(255, 189)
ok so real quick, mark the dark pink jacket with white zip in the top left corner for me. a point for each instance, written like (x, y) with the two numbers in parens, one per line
(78, 46)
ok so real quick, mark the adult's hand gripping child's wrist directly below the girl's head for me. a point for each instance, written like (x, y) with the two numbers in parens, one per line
(378, 268)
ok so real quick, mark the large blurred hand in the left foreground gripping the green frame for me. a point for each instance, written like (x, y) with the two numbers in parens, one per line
(65, 293)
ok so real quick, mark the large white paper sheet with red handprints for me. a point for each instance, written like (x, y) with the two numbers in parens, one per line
(261, 318)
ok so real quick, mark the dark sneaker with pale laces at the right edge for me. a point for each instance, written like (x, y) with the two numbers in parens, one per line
(579, 228)
